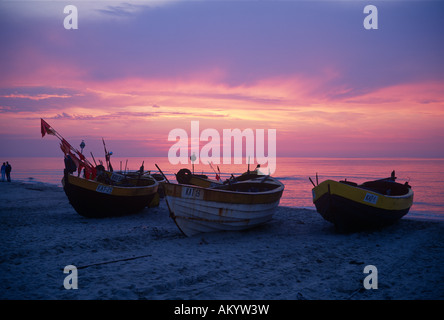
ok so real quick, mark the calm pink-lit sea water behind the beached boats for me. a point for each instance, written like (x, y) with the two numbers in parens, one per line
(426, 176)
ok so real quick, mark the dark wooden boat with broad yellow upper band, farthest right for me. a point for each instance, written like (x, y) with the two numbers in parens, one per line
(373, 204)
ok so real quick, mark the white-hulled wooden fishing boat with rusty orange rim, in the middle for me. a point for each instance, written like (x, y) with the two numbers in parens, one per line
(226, 207)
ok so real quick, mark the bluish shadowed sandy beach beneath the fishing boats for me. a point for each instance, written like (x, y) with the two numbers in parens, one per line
(296, 256)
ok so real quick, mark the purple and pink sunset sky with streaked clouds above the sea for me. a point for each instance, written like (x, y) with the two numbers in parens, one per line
(133, 71)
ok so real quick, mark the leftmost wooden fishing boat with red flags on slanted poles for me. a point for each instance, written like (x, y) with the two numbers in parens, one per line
(98, 192)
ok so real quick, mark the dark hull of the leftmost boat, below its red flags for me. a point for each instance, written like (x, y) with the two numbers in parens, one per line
(96, 200)
